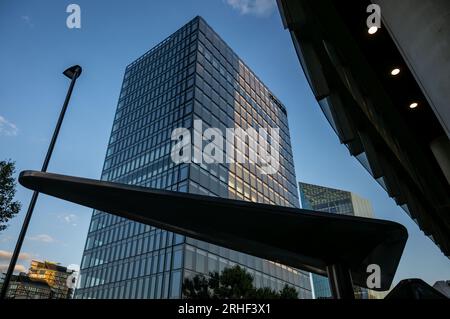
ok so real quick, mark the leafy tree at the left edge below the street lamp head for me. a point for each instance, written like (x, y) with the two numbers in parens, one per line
(8, 207)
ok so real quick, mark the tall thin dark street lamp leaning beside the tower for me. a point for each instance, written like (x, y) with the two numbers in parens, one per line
(72, 73)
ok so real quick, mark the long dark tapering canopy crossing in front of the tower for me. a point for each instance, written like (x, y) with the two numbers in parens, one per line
(299, 238)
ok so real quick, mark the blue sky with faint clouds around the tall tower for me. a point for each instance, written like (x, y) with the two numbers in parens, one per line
(37, 46)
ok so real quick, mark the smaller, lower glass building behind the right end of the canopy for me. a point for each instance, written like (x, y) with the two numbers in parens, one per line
(335, 201)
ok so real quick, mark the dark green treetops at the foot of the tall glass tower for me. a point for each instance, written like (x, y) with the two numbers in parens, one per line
(232, 283)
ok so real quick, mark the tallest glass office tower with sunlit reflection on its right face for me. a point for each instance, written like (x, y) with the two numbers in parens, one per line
(191, 75)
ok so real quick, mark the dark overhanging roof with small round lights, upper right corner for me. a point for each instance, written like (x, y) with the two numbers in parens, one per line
(384, 94)
